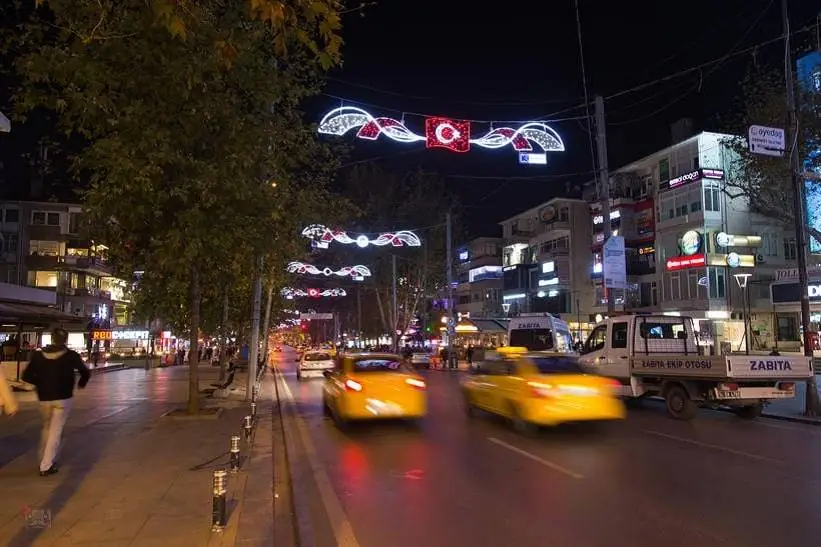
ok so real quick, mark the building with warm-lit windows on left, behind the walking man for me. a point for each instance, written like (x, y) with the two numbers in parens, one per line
(42, 247)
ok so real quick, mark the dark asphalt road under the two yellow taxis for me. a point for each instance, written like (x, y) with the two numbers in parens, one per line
(651, 480)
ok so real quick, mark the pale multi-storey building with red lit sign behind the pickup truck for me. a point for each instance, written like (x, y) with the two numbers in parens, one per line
(691, 243)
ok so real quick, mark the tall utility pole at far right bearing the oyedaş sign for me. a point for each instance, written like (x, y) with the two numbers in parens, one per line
(799, 205)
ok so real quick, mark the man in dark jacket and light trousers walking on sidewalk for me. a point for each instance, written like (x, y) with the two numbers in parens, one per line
(51, 371)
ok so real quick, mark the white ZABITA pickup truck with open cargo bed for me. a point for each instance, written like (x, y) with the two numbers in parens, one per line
(658, 355)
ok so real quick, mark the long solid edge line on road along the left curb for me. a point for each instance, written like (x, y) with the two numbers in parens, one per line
(341, 526)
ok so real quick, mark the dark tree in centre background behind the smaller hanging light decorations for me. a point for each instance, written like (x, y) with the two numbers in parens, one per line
(416, 201)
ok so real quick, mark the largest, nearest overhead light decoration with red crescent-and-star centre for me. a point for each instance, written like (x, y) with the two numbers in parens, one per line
(440, 132)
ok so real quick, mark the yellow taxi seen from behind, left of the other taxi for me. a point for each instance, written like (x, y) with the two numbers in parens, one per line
(372, 386)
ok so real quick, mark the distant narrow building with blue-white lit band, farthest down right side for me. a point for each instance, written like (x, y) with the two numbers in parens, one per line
(479, 278)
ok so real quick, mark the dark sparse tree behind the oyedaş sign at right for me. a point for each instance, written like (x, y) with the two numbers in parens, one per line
(763, 180)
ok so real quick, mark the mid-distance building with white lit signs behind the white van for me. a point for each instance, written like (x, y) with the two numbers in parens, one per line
(545, 250)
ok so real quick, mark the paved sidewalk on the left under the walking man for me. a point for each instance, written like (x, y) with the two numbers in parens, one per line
(128, 475)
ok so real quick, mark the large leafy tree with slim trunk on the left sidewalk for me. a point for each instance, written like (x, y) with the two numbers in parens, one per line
(194, 135)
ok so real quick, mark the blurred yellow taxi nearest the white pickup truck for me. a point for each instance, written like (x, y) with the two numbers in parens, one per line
(540, 389)
